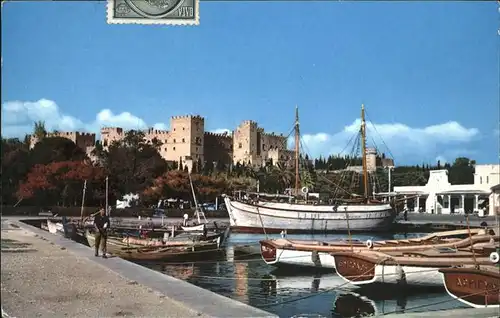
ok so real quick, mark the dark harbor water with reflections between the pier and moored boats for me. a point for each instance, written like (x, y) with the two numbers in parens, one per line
(300, 292)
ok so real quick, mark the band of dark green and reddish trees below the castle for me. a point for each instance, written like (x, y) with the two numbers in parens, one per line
(54, 170)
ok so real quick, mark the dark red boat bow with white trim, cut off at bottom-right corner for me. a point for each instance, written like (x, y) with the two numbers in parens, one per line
(476, 287)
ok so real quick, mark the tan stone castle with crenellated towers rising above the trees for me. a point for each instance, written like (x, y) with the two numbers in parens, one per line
(187, 143)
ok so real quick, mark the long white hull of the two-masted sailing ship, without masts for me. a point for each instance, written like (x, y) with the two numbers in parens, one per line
(273, 217)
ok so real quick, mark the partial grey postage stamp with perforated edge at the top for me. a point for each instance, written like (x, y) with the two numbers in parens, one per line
(170, 12)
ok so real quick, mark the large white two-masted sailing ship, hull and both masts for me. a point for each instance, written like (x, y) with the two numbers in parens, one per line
(257, 216)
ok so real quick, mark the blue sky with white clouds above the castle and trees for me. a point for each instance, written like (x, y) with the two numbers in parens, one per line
(427, 72)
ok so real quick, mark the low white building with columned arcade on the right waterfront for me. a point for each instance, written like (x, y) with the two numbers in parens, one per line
(440, 197)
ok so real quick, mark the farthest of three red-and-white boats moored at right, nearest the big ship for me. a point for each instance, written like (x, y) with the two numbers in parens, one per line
(284, 252)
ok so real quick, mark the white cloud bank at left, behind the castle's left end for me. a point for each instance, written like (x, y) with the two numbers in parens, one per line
(18, 118)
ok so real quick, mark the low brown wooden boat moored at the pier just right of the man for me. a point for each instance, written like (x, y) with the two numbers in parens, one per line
(183, 252)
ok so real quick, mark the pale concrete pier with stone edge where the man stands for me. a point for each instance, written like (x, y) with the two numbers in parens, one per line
(46, 275)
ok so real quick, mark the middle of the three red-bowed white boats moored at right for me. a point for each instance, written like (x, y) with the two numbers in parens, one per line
(417, 268)
